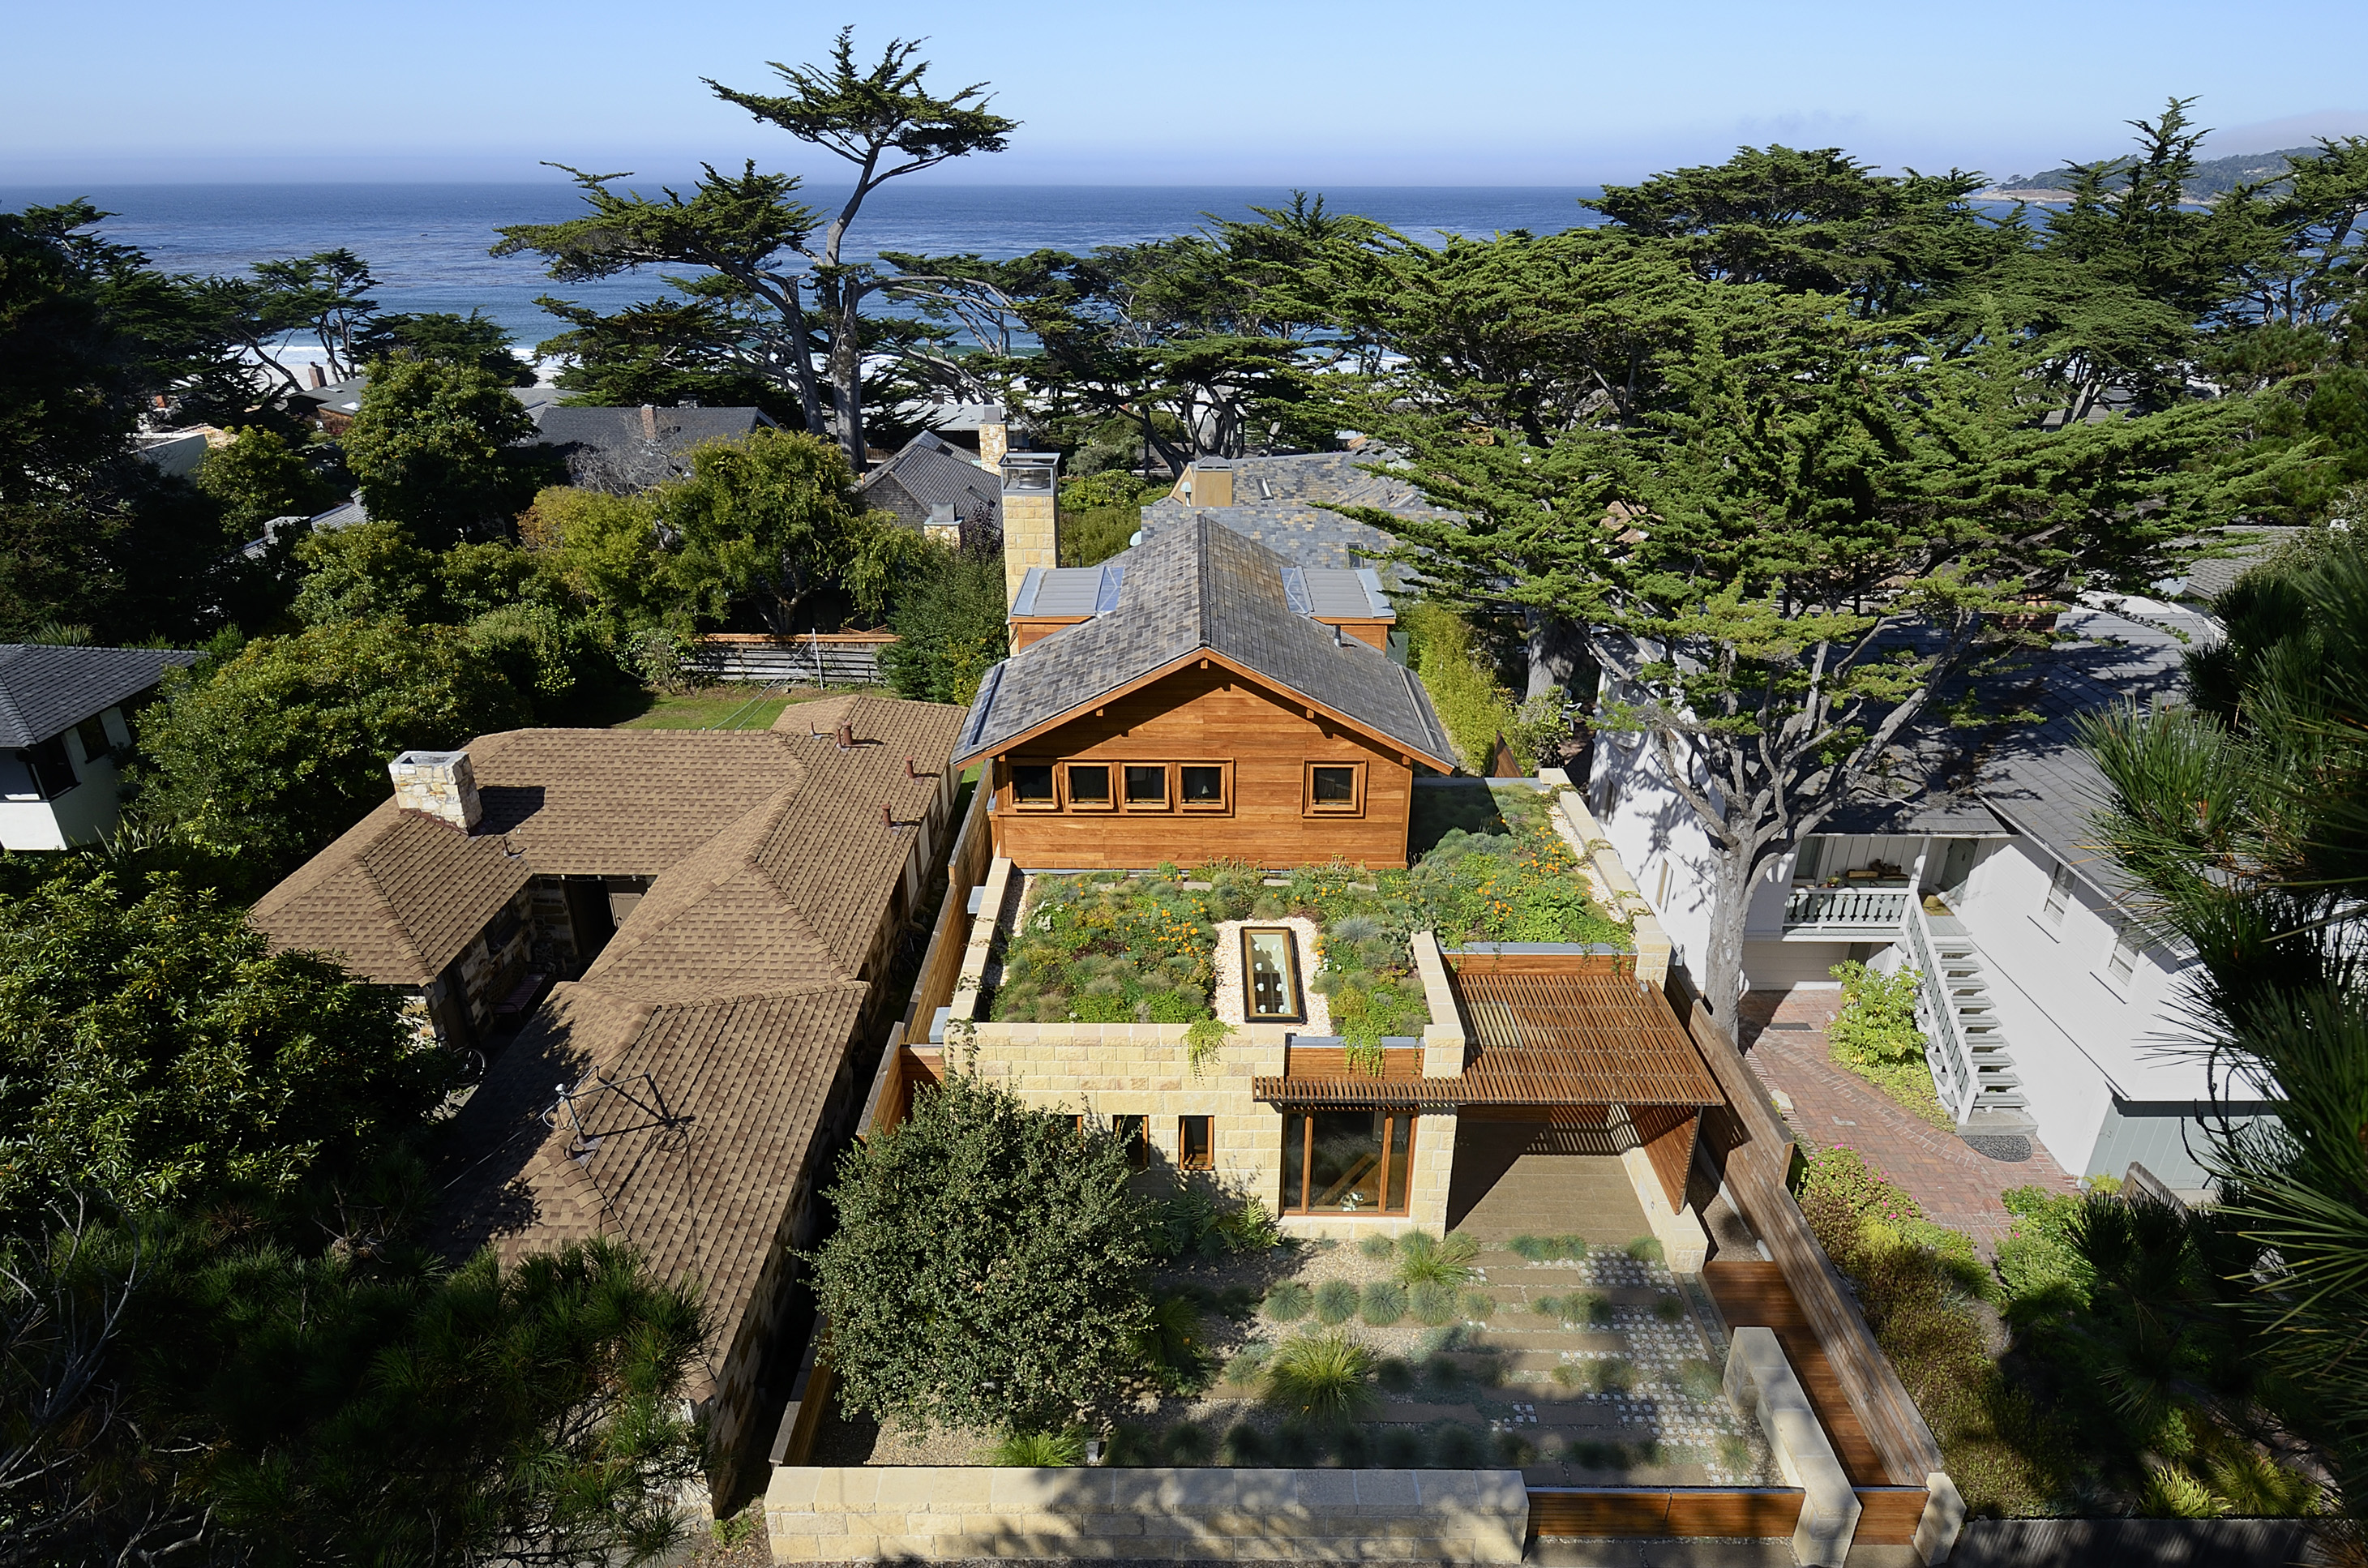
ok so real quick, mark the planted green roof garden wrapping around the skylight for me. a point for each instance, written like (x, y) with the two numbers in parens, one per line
(1140, 946)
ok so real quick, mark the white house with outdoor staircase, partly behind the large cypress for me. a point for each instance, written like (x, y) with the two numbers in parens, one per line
(2045, 1013)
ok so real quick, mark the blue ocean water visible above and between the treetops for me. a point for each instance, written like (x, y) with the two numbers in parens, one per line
(427, 243)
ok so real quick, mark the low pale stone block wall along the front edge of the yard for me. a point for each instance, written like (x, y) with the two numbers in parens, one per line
(1199, 1515)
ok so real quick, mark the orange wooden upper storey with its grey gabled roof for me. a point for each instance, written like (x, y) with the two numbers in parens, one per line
(1199, 707)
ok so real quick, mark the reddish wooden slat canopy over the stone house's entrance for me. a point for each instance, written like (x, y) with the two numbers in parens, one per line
(1543, 1041)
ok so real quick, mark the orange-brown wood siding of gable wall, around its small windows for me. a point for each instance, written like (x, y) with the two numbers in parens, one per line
(1211, 716)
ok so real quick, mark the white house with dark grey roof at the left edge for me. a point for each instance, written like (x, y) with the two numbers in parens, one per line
(65, 719)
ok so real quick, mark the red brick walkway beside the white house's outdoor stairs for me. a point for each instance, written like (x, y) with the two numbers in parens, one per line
(1784, 1036)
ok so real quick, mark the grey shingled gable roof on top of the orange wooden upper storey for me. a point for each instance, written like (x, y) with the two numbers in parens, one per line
(1202, 586)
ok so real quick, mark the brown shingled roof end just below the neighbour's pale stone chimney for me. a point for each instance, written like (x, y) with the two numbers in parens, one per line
(399, 897)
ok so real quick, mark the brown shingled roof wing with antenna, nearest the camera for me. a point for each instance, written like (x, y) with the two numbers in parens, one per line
(700, 1143)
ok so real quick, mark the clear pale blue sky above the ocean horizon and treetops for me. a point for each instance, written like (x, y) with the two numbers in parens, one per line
(1221, 91)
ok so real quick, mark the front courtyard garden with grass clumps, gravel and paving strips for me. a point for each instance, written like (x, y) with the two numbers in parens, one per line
(1576, 1365)
